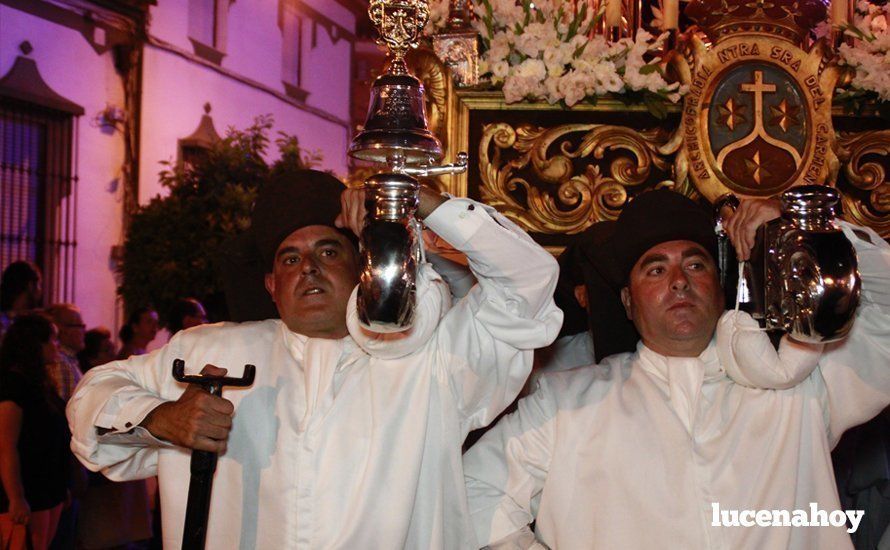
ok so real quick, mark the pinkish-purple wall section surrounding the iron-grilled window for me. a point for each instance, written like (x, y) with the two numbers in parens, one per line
(71, 67)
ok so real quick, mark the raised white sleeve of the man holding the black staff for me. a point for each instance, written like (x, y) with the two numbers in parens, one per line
(485, 342)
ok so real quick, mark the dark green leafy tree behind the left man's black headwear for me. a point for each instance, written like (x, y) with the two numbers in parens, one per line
(173, 242)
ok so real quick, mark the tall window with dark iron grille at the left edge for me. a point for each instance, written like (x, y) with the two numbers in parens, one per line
(38, 193)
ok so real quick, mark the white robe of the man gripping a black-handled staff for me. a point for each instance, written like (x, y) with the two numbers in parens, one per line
(331, 447)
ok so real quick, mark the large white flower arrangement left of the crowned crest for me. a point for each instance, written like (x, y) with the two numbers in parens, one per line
(546, 51)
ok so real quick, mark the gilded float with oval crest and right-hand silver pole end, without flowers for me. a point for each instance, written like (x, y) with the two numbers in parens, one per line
(756, 122)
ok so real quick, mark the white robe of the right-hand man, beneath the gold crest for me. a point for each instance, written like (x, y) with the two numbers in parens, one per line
(633, 453)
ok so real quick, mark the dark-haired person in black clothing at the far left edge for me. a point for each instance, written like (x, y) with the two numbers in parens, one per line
(34, 436)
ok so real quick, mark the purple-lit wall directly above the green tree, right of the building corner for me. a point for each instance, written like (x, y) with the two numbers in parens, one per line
(175, 87)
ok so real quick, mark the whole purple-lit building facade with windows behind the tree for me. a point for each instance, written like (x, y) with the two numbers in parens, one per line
(95, 95)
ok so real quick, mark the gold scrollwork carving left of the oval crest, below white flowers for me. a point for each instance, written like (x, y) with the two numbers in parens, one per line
(565, 201)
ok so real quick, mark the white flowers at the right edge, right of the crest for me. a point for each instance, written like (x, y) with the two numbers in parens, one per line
(869, 56)
